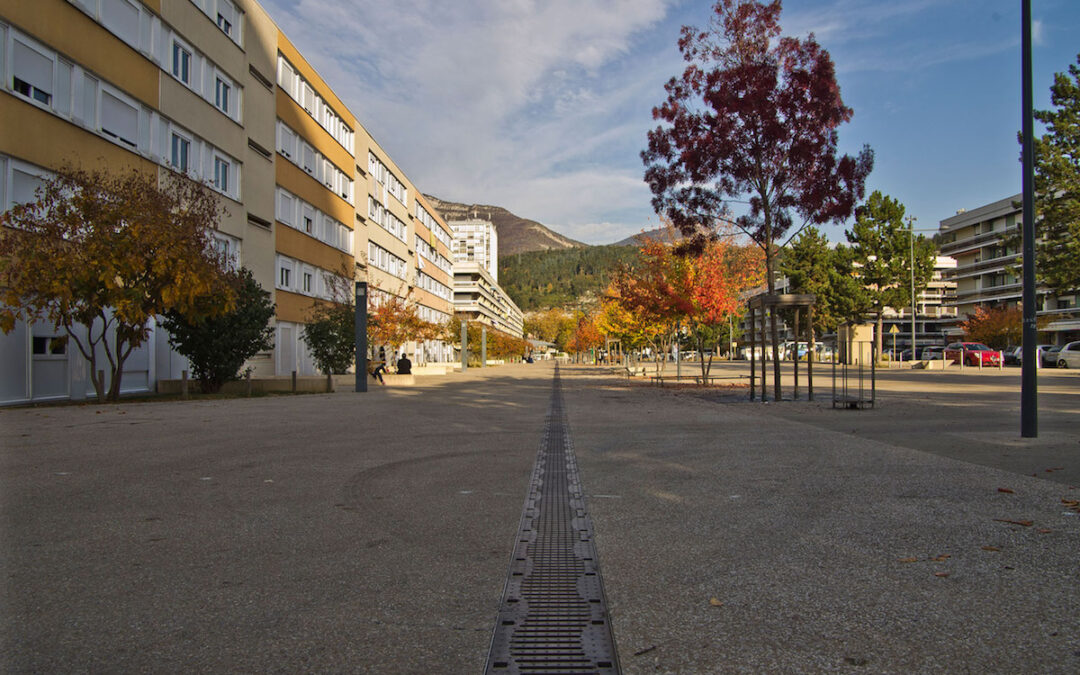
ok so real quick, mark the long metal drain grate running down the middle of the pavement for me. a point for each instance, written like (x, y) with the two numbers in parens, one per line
(553, 617)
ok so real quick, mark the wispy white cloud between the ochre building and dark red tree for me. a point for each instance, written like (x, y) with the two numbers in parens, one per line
(499, 102)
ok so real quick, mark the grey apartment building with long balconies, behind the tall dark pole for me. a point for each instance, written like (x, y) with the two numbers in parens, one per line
(988, 269)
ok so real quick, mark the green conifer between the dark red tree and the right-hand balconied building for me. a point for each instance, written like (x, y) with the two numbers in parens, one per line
(882, 250)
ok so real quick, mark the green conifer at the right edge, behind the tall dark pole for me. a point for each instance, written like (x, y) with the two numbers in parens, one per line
(1058, 186)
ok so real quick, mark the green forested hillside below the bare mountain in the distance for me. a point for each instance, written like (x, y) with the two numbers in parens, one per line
(544, 279)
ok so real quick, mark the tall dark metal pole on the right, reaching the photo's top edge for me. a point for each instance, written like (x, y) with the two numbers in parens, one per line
(1029, 398)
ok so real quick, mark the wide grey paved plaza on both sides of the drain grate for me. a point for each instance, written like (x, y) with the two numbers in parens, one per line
(373, 533)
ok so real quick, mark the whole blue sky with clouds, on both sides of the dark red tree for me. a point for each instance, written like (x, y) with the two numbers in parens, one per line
(543, 106)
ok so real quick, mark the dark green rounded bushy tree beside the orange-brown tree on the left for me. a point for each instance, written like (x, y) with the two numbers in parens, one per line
(219, 346)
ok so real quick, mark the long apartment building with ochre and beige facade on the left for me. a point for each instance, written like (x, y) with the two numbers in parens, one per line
(214, 90)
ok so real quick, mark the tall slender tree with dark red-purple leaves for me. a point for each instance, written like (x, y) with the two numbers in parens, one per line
(753, 117)
